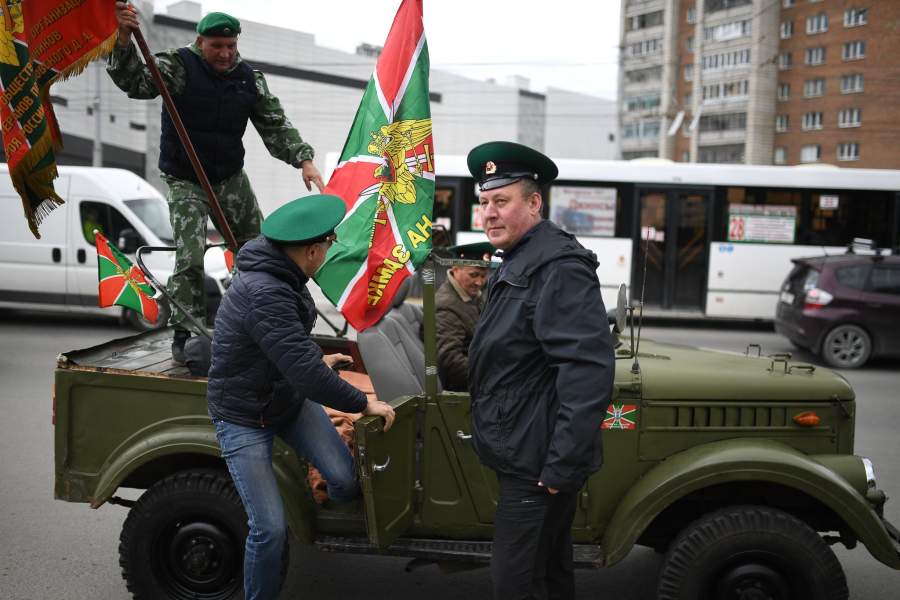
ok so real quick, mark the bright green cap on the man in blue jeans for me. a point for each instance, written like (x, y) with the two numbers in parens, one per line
(306, 220)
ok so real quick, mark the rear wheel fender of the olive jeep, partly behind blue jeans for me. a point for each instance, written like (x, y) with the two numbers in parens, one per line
(194, 436)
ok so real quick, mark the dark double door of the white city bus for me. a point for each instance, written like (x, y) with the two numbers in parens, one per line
(674, 232)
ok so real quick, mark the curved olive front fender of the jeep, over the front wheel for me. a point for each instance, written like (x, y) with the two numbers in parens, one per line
(742, 460)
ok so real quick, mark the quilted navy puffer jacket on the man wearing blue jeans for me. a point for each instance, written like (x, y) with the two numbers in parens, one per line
(264, 363)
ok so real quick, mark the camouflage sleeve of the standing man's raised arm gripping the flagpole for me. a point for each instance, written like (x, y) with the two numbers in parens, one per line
(133, 77)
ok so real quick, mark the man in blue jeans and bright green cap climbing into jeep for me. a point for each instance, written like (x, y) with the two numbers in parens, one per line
(269, 378)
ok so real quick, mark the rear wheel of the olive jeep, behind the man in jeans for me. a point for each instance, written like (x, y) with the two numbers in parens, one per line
(184, 539)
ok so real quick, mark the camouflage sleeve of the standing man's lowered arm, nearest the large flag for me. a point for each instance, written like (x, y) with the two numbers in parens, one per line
(277, 132)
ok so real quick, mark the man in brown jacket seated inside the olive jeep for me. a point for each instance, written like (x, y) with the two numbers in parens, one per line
(458, 304)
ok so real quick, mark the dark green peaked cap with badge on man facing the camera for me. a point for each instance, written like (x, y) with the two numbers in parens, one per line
(497, 164)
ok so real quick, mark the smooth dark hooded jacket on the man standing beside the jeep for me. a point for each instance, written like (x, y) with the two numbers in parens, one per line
(541, 363)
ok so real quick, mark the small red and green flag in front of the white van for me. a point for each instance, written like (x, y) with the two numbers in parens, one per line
(122, 283)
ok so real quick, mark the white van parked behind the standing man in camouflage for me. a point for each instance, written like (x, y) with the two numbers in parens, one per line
(59, 270)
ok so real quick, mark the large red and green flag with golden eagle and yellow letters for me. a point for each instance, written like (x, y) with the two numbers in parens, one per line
(386, 177)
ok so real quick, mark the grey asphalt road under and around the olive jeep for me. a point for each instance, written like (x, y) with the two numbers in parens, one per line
(54, 550)
